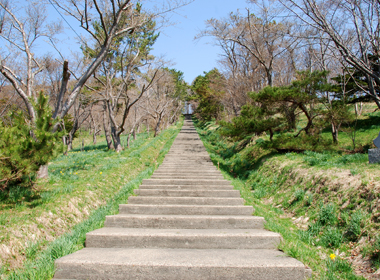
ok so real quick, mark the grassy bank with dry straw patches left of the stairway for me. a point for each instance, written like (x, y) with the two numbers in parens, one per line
(38, 226)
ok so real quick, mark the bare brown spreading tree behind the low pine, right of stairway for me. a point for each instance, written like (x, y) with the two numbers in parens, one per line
(263, 35)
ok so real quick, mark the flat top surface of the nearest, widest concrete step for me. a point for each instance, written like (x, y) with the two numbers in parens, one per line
(182, 257)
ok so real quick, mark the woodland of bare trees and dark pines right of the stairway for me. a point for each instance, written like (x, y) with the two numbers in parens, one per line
(284, 62)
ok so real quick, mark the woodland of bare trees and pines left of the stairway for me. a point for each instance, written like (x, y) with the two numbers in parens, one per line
(112, 85)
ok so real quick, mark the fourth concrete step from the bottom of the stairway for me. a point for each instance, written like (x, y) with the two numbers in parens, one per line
(156, 209)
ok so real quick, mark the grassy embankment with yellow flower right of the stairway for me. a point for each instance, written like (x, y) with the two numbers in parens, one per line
(326, 205)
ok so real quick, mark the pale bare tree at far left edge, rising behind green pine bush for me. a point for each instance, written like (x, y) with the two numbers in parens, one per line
(20, 34)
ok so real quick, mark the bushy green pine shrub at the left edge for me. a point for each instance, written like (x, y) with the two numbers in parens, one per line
(25, 146)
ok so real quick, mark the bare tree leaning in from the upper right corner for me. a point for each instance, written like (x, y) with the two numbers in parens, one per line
(354, 28)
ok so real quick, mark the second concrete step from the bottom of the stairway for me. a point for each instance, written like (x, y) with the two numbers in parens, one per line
(183, 238)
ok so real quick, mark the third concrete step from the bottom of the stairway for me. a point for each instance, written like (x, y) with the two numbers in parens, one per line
(184, 221)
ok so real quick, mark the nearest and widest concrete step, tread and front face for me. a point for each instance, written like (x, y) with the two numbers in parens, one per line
(174, 264)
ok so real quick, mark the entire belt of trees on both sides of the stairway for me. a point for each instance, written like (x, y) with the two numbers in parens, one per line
(288, 69)
